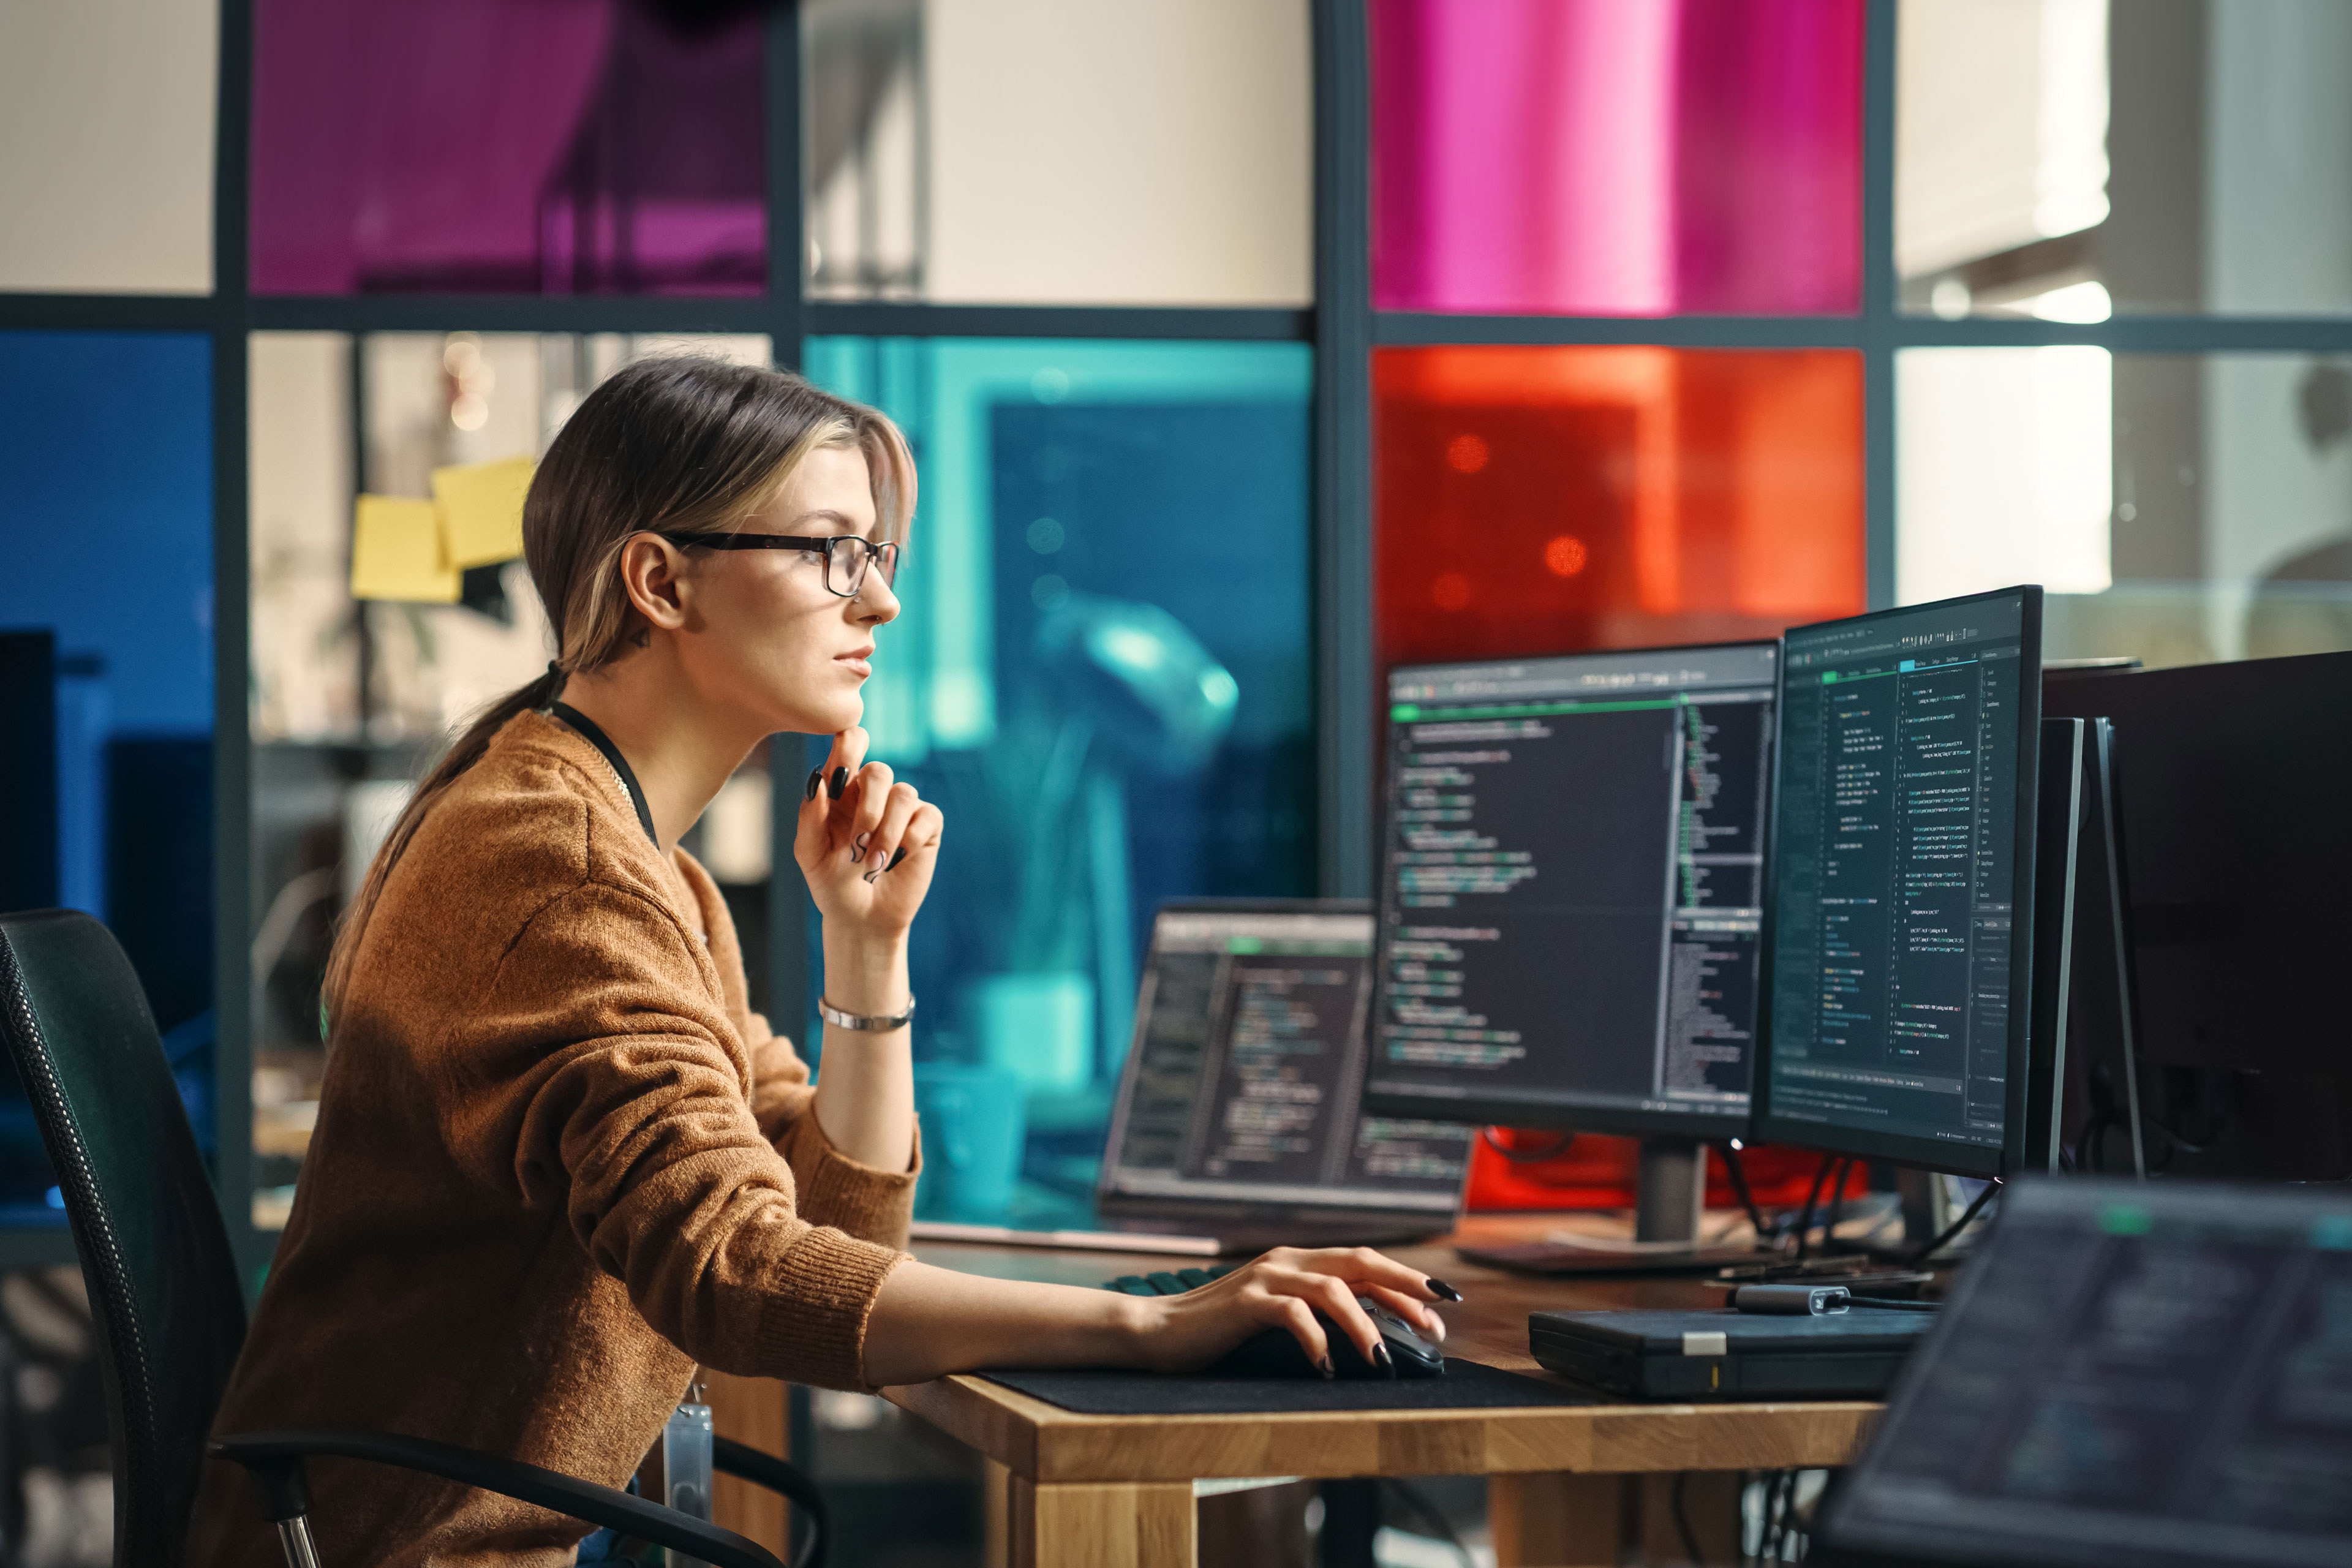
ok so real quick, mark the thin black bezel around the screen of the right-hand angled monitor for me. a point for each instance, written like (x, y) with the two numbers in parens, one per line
(1977, 1160)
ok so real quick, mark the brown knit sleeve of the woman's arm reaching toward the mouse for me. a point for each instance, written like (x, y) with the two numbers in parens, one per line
(606, 1085)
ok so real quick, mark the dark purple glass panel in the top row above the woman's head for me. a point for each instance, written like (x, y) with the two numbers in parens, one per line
(505, 147)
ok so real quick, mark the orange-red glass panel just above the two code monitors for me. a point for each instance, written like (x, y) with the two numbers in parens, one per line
(1551, 500)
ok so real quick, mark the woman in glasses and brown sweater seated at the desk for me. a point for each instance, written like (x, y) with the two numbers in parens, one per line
(559, 1160)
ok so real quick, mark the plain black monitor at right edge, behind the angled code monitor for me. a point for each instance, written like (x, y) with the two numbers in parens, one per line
(2238, 847)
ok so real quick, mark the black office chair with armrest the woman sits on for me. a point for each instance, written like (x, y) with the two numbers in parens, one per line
(163, 1285)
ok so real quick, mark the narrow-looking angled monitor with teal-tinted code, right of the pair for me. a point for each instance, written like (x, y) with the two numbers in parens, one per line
(1902, 902)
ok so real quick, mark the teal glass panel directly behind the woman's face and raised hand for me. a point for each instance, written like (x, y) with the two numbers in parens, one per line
(1104, 681)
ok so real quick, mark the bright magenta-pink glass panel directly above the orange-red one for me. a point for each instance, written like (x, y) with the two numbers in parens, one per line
(1617, 156)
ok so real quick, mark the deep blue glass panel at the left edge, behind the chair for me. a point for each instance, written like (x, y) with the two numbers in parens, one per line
(107, 514)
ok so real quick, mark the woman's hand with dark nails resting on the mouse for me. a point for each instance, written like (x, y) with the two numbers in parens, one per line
(1285, 1289)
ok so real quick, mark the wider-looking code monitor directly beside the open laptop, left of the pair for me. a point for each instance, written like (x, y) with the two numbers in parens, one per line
(1572, 890)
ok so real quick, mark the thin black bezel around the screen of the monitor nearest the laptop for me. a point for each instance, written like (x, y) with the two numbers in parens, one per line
(1579, 1118)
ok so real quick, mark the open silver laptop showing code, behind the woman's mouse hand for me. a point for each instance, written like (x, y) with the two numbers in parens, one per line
(1248, 1068)
